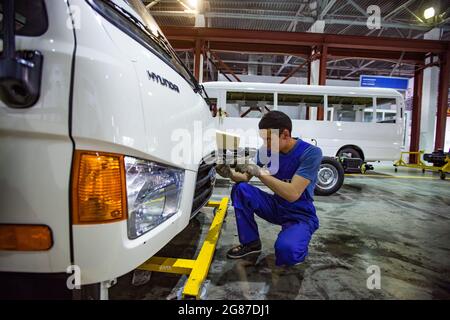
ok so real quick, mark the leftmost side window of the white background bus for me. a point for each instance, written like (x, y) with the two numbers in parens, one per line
(249, 104)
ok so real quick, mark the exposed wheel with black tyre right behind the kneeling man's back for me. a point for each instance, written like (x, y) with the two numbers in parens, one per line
(330, 177)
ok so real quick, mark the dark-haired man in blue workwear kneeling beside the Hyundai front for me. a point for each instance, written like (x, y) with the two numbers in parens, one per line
(291, 206)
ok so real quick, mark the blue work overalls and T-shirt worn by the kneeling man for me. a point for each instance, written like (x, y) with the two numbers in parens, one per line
(298, 219)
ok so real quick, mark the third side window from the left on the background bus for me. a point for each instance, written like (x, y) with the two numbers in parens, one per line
(352, 109)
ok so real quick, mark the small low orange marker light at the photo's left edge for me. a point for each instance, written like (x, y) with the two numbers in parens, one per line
(25, 237)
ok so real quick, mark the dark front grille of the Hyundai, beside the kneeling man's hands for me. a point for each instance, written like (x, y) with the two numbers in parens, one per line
(206, 178)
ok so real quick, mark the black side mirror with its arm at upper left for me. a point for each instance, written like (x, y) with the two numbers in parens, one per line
(20, 72)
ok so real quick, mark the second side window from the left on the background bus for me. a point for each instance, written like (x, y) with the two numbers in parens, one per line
(299, 106)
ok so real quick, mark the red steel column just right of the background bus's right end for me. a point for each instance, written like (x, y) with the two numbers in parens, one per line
(416, 112)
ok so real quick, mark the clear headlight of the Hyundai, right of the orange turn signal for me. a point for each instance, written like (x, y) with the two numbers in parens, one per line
(153, 192)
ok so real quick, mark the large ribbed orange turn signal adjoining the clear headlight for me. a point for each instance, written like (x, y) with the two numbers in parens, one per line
(98, 188)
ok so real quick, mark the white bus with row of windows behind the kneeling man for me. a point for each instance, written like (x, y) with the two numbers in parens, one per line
(364, 123)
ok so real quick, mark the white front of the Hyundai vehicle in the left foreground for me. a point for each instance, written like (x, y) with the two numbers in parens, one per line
(95, 178)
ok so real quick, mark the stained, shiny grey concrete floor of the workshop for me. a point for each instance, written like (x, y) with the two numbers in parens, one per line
(399, 222)
